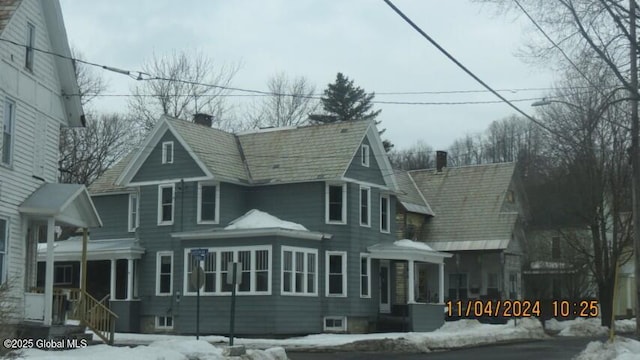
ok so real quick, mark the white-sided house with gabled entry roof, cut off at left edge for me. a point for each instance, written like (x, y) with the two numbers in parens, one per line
(38, 95)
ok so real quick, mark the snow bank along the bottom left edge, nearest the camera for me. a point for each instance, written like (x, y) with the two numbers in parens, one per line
(172, 349)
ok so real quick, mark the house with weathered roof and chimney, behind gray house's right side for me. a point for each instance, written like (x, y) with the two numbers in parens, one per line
(478, 215)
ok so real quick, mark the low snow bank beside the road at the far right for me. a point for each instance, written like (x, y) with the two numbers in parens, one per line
(588, 327)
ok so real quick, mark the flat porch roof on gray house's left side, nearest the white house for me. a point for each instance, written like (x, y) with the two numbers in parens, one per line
(71, 249)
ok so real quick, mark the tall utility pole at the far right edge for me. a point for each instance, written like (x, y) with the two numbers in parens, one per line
(635, 153)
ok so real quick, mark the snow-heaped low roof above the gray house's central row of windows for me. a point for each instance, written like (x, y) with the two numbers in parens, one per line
(255, 223)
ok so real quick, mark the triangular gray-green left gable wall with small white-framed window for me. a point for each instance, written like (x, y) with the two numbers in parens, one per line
(183, 166)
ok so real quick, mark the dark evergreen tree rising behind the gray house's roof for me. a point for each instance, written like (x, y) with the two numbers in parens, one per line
(343, 101)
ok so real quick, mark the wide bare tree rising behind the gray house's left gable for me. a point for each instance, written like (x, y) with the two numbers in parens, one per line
(181, 84)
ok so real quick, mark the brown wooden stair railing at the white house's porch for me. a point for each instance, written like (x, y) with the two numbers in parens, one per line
(81, 306)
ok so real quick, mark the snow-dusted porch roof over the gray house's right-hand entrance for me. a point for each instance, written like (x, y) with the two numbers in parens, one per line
(407, 250)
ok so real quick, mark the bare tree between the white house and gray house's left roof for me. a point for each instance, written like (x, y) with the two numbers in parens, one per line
(86, 153)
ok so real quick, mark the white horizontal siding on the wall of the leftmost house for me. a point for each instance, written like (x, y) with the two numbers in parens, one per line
(37, 104)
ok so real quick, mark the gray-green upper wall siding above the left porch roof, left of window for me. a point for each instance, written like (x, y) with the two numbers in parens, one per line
(114, 212)
